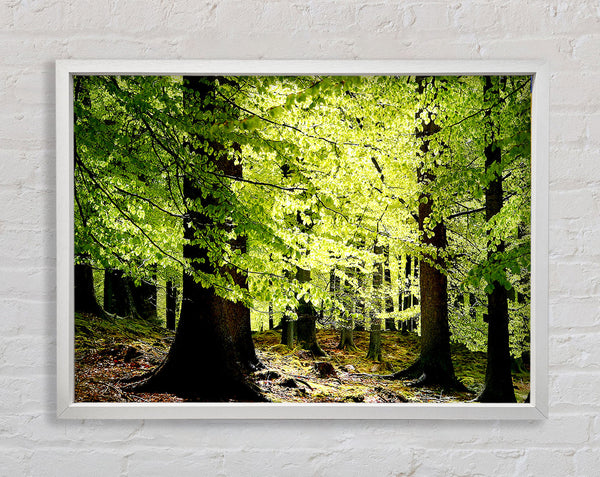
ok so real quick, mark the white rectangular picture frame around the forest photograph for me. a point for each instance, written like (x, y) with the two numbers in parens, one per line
(68, 408)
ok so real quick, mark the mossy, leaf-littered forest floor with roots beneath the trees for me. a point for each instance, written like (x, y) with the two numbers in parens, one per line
(110, 351)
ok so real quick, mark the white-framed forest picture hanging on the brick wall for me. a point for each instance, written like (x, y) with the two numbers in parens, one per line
(302, 239)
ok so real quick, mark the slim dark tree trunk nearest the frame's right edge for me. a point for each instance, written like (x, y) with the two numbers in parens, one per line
(498, 379)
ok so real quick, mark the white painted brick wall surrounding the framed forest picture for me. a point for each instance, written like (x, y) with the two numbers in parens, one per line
(34, 33)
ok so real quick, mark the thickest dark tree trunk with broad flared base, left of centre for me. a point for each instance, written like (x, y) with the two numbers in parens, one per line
(213, 349)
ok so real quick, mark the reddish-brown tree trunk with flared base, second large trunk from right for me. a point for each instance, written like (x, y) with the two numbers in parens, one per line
(434, 365)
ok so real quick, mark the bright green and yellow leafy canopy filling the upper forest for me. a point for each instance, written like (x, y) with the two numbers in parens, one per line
(330, 171)
